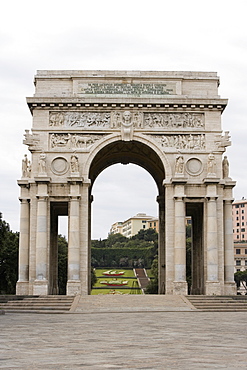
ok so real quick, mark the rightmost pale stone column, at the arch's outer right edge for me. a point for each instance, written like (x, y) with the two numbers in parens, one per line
(230, 286)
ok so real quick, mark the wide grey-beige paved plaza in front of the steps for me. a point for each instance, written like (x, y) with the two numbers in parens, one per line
(124, 340)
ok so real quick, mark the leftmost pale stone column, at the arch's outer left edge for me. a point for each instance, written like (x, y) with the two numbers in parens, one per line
(22, 286)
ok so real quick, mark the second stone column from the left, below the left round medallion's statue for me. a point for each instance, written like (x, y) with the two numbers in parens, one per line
(41, 282)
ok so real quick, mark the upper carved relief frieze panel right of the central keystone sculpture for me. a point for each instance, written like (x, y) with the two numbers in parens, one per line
(174, 120)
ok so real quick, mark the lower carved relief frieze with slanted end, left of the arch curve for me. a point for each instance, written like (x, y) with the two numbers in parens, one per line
(72, 141)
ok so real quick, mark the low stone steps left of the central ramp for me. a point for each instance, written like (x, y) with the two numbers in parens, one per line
(41, 304)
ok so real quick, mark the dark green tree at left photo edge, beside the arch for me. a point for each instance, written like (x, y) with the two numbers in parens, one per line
(9, 242)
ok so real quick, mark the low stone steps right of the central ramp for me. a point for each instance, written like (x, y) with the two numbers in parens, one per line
(218, 303)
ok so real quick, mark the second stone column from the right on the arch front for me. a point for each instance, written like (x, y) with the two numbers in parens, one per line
(212, 283)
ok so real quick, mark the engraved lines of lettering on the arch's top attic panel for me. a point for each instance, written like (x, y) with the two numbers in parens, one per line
(138, 89)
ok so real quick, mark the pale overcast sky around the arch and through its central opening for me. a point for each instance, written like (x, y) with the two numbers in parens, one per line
(133, 35)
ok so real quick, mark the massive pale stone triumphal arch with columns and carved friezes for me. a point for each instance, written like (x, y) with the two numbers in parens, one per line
(169, 123)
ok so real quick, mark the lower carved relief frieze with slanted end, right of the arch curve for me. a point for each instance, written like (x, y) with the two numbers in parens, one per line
(181, 142)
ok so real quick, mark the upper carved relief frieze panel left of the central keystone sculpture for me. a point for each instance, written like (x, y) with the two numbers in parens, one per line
(80, 119)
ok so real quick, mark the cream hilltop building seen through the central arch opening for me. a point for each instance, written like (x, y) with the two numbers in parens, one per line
(134, 224)
